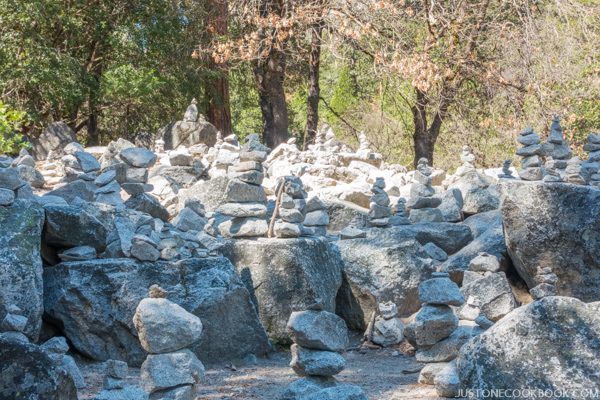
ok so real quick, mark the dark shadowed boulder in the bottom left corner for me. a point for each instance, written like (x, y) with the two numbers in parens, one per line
(27, 372)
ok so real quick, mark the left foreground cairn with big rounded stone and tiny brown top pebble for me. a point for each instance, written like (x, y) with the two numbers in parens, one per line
(166, 331)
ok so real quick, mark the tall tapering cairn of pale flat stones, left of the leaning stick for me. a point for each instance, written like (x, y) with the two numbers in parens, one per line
(245, 197)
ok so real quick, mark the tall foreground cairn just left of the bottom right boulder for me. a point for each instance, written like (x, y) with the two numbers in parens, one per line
(436, 334)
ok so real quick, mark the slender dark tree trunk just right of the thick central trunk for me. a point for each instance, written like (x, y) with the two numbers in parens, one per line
(312, 101)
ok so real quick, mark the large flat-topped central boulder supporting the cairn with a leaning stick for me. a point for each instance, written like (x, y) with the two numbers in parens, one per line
(285, 275)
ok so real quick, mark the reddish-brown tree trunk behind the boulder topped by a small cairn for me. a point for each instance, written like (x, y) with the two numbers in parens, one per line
(219, 113)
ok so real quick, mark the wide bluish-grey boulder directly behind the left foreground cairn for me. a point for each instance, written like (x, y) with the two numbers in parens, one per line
(95, 300)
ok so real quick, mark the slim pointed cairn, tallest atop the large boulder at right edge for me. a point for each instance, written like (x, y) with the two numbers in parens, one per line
(557, 152)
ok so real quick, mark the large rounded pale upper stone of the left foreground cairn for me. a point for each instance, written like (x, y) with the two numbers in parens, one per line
(164, 326)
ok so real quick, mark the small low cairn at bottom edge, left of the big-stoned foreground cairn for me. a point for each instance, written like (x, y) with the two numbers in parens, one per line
(115, 386)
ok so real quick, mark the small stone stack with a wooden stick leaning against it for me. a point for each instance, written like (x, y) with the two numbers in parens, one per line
(292, 204)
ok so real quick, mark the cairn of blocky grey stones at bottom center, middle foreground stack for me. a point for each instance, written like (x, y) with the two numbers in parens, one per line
(319, 337)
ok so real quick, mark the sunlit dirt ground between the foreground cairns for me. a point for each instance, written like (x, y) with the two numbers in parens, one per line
(384, 374)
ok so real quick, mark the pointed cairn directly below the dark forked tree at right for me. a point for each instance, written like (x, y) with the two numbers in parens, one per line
(422, 201)
